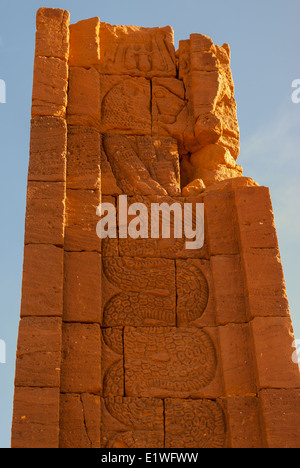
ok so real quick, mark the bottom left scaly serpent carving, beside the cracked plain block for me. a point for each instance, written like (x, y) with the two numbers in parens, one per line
(132, 423)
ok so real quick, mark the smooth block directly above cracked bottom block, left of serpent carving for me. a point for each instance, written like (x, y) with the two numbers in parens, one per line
(81, 358)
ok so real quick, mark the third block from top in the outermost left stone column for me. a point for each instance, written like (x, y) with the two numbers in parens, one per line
(48, 148)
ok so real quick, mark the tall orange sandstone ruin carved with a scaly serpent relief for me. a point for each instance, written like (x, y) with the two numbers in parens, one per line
(141, 343)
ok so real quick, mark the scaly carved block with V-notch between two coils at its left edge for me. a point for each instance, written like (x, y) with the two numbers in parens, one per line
(148, 296)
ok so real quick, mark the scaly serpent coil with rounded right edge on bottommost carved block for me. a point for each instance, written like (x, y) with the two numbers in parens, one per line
(194, 424)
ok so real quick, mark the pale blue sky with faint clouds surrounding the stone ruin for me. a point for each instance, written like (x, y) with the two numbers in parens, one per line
(264, 36)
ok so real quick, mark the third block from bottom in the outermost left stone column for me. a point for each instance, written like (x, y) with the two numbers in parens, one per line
(42, 287)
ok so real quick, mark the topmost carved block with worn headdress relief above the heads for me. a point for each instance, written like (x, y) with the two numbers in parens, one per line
(129, 50)
